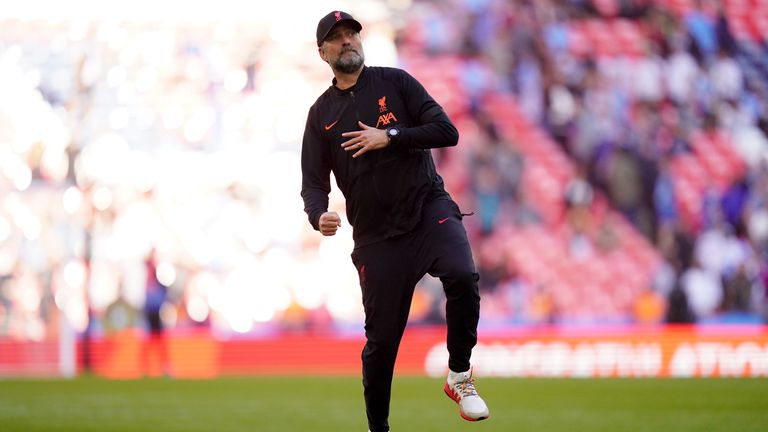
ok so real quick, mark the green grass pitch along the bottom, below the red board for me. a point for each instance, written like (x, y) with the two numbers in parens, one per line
(295, 404)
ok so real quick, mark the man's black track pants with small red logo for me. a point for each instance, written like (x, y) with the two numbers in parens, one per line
(389, 271)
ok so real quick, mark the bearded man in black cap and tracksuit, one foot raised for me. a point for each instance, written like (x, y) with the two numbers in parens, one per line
(374, 128)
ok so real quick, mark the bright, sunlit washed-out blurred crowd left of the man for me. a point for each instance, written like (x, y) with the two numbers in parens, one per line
(171, 148)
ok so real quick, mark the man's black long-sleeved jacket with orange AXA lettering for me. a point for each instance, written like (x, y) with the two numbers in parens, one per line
(384, 189)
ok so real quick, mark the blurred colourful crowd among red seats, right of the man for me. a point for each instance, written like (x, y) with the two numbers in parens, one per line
(635, 93)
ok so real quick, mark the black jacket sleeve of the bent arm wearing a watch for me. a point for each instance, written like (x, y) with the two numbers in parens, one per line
(432, 128)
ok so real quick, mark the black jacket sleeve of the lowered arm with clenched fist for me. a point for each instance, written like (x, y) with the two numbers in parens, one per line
(315, 172)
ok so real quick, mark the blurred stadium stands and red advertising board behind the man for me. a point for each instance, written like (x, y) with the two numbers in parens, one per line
(614, 153)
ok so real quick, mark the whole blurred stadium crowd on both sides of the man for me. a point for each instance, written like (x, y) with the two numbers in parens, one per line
(168, 152)
